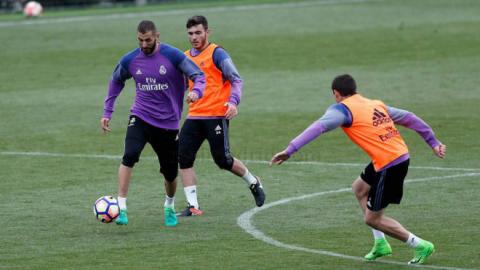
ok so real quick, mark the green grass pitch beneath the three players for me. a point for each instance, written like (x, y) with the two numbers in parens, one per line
(422, 56)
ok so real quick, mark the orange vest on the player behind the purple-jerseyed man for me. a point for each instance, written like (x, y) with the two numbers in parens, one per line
(217, 90)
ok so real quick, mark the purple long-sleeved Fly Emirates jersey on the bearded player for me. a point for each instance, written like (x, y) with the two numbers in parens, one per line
(160, 82)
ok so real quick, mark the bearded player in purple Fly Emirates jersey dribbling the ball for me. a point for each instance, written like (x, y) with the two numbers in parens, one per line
(159, 71)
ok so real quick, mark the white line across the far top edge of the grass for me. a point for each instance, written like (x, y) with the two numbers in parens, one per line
(175, 12)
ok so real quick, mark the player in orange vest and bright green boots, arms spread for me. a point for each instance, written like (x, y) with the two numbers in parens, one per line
(371, 125)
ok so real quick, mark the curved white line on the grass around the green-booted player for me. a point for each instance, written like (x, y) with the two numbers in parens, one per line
(244, 221)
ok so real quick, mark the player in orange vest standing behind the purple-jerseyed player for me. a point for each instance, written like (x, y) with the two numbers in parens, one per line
(209, 117)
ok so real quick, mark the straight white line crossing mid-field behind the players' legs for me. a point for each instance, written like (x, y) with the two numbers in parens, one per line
(315, 163)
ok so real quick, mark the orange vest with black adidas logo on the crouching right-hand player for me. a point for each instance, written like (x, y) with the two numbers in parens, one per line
(373, 130)
